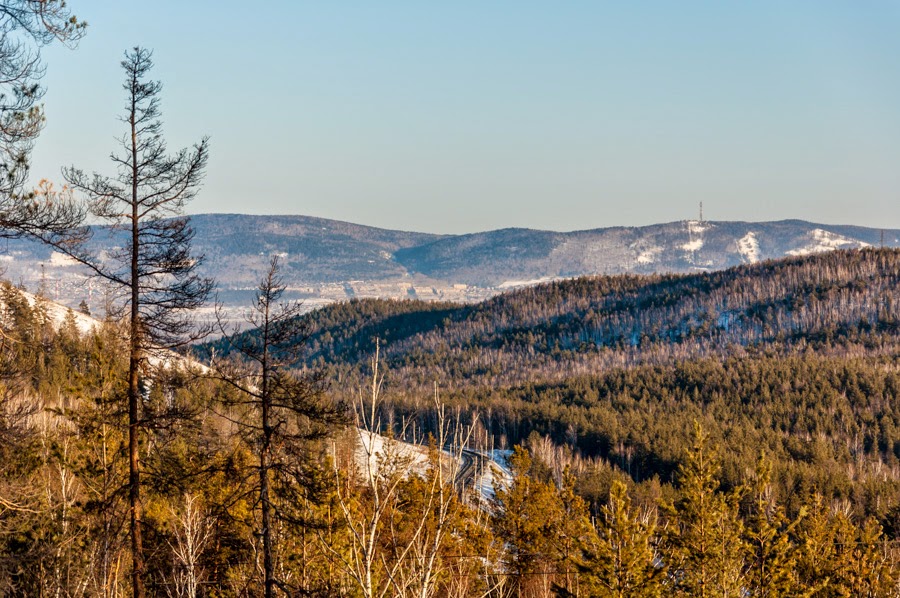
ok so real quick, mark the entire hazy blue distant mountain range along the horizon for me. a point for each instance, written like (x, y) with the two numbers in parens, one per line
(327, 260)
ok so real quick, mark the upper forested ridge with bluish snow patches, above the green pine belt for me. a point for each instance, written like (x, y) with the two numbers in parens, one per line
(559, 329)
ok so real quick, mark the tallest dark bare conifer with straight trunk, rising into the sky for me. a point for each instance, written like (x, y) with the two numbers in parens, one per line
(155, 268)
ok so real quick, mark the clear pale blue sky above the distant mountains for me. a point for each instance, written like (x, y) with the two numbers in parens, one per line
(455, 117)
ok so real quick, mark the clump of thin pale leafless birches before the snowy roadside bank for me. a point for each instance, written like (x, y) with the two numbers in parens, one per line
(398, 549)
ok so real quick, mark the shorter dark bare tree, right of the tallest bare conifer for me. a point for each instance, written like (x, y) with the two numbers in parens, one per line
(278, 410)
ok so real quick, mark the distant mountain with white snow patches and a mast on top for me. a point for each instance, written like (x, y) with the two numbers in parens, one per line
(506, 257)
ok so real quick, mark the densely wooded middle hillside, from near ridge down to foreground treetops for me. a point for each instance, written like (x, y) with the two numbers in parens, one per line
(795, 357)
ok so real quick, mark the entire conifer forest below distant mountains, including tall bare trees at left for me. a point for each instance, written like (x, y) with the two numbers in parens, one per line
(730, 433)
